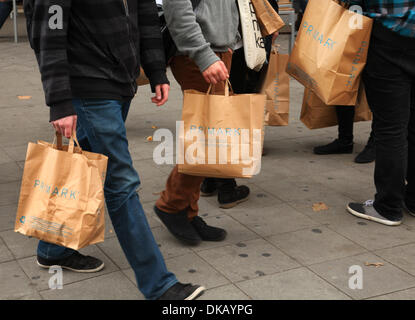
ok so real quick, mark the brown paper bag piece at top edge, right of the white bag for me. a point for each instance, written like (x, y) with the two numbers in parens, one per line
(269, 20)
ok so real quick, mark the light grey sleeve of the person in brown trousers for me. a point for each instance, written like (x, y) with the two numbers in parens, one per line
(187, 34)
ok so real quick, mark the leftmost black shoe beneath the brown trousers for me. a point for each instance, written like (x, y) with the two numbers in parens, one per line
(179, 225)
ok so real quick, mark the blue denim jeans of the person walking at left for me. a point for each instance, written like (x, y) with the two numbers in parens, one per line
(101, 129)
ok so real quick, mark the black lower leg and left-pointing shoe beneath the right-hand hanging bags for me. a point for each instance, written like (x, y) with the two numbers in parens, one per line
(344, 142)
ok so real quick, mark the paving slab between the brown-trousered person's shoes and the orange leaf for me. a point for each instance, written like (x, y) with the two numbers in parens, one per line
(267, 221)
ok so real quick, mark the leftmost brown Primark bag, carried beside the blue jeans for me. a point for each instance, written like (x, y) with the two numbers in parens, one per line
(62, 196)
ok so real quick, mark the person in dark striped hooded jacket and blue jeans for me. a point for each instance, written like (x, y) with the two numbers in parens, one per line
(89, 77)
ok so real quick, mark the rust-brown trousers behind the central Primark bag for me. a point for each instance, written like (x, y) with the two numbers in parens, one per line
(182, 190)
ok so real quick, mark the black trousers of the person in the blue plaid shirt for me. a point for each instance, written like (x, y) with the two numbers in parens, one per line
(389, 78)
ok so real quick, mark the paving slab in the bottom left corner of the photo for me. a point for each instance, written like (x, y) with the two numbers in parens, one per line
(14, 283)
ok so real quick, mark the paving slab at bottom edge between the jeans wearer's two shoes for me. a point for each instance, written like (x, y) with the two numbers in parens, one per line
(112, 286)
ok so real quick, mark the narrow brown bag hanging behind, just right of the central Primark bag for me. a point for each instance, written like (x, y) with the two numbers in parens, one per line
(276, 86)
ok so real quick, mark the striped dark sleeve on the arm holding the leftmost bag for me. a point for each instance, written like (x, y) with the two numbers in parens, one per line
(47, 26)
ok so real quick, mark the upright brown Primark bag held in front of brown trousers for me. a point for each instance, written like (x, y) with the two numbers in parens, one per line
(221, 135)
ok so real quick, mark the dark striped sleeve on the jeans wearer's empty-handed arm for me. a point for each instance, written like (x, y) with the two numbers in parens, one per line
(152, 56)
